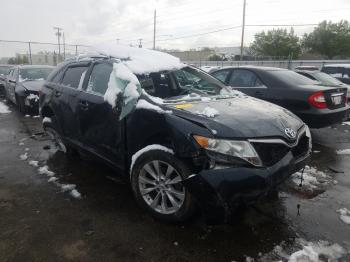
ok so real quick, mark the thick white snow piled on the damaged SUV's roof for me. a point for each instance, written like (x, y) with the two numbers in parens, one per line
(140, 60)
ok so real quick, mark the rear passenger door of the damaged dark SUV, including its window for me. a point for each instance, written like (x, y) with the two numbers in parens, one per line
(67, 98)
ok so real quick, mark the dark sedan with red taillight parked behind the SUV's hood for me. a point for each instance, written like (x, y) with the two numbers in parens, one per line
(317, 105)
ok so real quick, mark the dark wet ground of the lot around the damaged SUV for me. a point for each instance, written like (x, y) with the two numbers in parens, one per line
(40, 221)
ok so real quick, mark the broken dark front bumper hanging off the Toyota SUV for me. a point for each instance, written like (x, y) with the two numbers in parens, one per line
(219, 190)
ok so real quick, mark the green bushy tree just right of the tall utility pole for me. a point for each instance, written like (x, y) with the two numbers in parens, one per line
(276, 42)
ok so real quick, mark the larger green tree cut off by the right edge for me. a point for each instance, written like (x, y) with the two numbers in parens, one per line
(329, 39)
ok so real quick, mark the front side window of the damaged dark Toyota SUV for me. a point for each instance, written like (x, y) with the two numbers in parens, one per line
(99, 78)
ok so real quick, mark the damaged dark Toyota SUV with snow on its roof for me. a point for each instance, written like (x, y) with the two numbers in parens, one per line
(188, 141)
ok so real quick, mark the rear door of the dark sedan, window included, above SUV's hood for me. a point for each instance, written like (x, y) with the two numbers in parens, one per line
(248, 82)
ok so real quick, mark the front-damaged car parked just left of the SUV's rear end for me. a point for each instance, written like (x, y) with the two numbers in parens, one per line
(23, 83)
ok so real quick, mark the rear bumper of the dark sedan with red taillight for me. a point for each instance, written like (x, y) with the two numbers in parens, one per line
(320, 120)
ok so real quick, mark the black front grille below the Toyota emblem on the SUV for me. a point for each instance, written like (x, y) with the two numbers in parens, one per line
(271, 153)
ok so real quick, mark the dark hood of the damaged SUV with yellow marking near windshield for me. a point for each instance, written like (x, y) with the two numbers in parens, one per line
(240, 117)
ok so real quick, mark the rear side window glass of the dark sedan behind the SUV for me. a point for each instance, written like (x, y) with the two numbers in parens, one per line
(244, 78)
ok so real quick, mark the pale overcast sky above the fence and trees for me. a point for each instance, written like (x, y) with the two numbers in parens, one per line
(93, 21)
